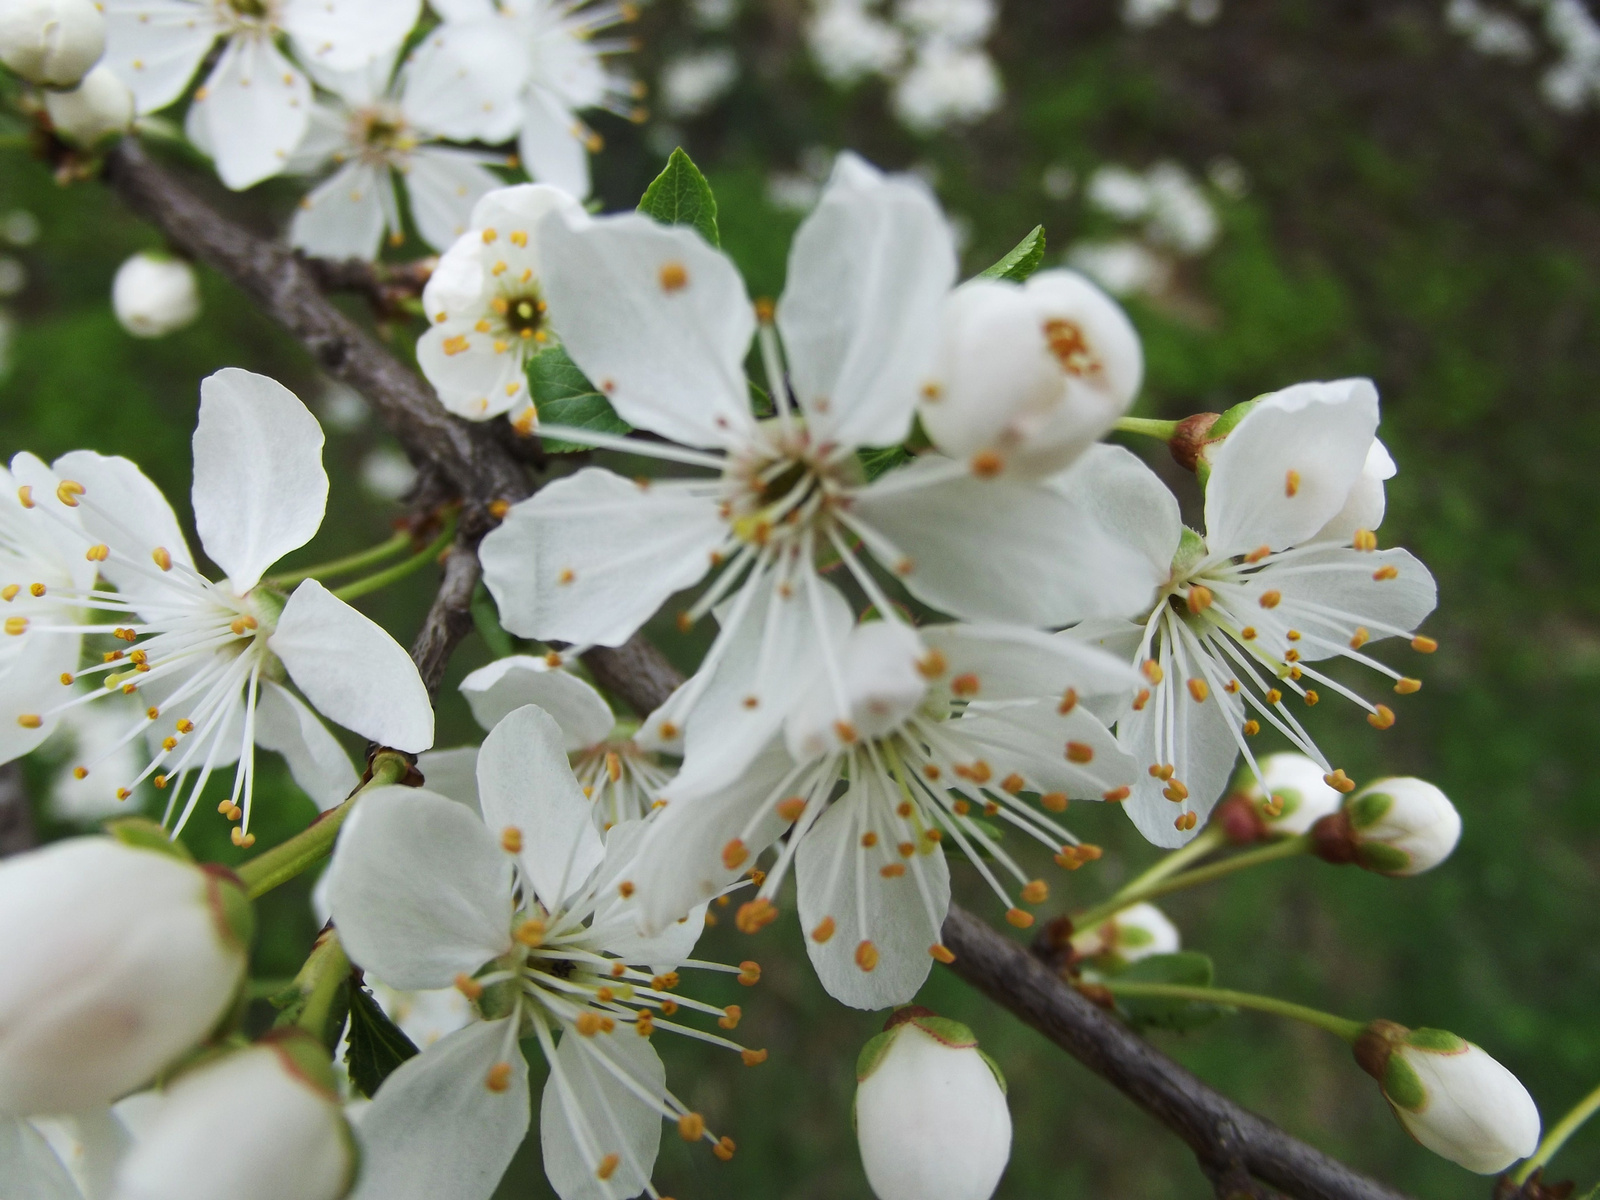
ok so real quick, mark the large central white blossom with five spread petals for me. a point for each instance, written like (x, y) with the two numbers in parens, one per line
(662, 324)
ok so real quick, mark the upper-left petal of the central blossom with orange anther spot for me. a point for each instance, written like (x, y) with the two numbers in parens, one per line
(679, 370)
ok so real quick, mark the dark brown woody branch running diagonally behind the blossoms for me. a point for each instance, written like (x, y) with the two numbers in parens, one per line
(1234, 1146)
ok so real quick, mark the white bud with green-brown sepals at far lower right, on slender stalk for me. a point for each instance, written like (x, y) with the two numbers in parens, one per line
(1452, 1097)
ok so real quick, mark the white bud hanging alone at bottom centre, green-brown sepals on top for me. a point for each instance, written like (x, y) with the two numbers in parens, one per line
(930, 1111)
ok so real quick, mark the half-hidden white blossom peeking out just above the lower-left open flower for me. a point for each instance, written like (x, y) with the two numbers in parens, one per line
(620, 777)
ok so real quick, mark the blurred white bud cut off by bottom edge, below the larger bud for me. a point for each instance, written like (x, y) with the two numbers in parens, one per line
(286, 1134)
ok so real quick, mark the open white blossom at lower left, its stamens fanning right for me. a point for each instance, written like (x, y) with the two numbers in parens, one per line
(529, 913)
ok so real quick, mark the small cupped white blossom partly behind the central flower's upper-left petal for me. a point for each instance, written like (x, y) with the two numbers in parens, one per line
(486, 305)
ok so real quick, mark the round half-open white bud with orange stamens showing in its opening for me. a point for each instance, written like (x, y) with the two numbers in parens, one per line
(1031, 375)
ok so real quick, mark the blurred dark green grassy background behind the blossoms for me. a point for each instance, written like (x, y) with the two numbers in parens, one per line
(1396, 206)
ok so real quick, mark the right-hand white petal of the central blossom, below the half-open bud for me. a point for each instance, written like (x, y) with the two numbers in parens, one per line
(1006, 551)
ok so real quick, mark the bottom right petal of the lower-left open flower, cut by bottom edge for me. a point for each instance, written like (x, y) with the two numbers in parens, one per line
(599, 1113)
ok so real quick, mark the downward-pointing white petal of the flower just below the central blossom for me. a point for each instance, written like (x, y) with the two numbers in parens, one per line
(836, 874)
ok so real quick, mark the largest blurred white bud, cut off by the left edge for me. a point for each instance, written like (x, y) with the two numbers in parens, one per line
(118, 961)
